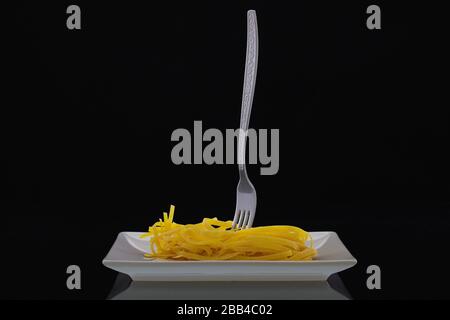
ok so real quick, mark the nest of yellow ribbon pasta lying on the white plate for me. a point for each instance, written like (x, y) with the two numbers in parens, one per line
(213, 239)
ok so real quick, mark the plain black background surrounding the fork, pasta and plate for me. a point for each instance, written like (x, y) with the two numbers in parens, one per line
(363, 118)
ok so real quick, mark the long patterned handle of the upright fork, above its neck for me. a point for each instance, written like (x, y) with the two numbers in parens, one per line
(251, 65)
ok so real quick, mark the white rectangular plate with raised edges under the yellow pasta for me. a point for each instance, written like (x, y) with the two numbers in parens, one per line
(127, 256)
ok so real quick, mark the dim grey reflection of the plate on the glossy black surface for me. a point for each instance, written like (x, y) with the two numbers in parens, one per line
(125, 289)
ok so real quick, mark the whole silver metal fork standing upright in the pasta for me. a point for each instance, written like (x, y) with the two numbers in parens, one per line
(246, 193)
